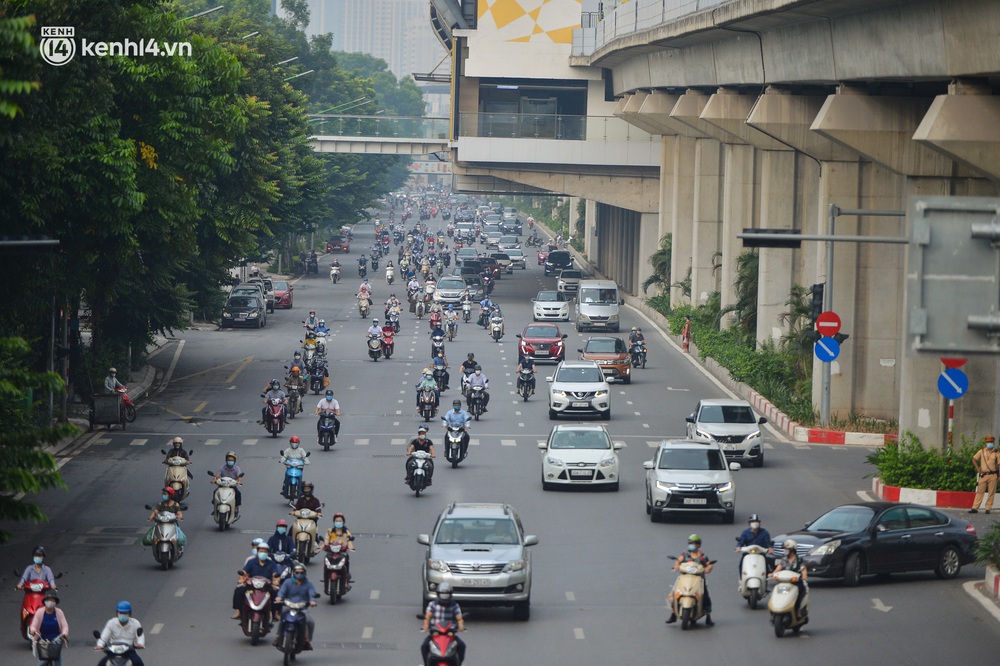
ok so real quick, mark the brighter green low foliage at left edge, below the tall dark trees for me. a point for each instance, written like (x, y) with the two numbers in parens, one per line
(24, 467)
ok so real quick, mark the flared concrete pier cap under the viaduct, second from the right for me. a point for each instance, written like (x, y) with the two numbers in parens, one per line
(881, 129)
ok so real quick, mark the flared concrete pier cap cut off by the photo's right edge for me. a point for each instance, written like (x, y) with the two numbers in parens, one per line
(964, 127)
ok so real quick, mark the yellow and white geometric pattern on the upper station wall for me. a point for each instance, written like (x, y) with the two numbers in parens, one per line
(549, 21)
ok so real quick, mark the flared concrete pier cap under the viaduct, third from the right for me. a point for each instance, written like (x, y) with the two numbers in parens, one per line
(788, 118)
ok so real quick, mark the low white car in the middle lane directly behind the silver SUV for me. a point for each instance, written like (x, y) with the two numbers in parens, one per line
(579, 454)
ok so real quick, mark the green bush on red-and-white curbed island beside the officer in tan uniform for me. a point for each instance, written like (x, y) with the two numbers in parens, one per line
(908, 464)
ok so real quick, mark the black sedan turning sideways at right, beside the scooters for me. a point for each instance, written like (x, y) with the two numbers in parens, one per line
(880, 538)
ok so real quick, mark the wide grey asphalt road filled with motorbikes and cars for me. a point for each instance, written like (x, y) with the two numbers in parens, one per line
(600, 569)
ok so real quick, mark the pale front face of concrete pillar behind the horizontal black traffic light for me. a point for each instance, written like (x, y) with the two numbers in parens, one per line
(777, 211)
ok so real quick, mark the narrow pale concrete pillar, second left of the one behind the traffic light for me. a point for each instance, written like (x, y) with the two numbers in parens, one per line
(707, 218)
